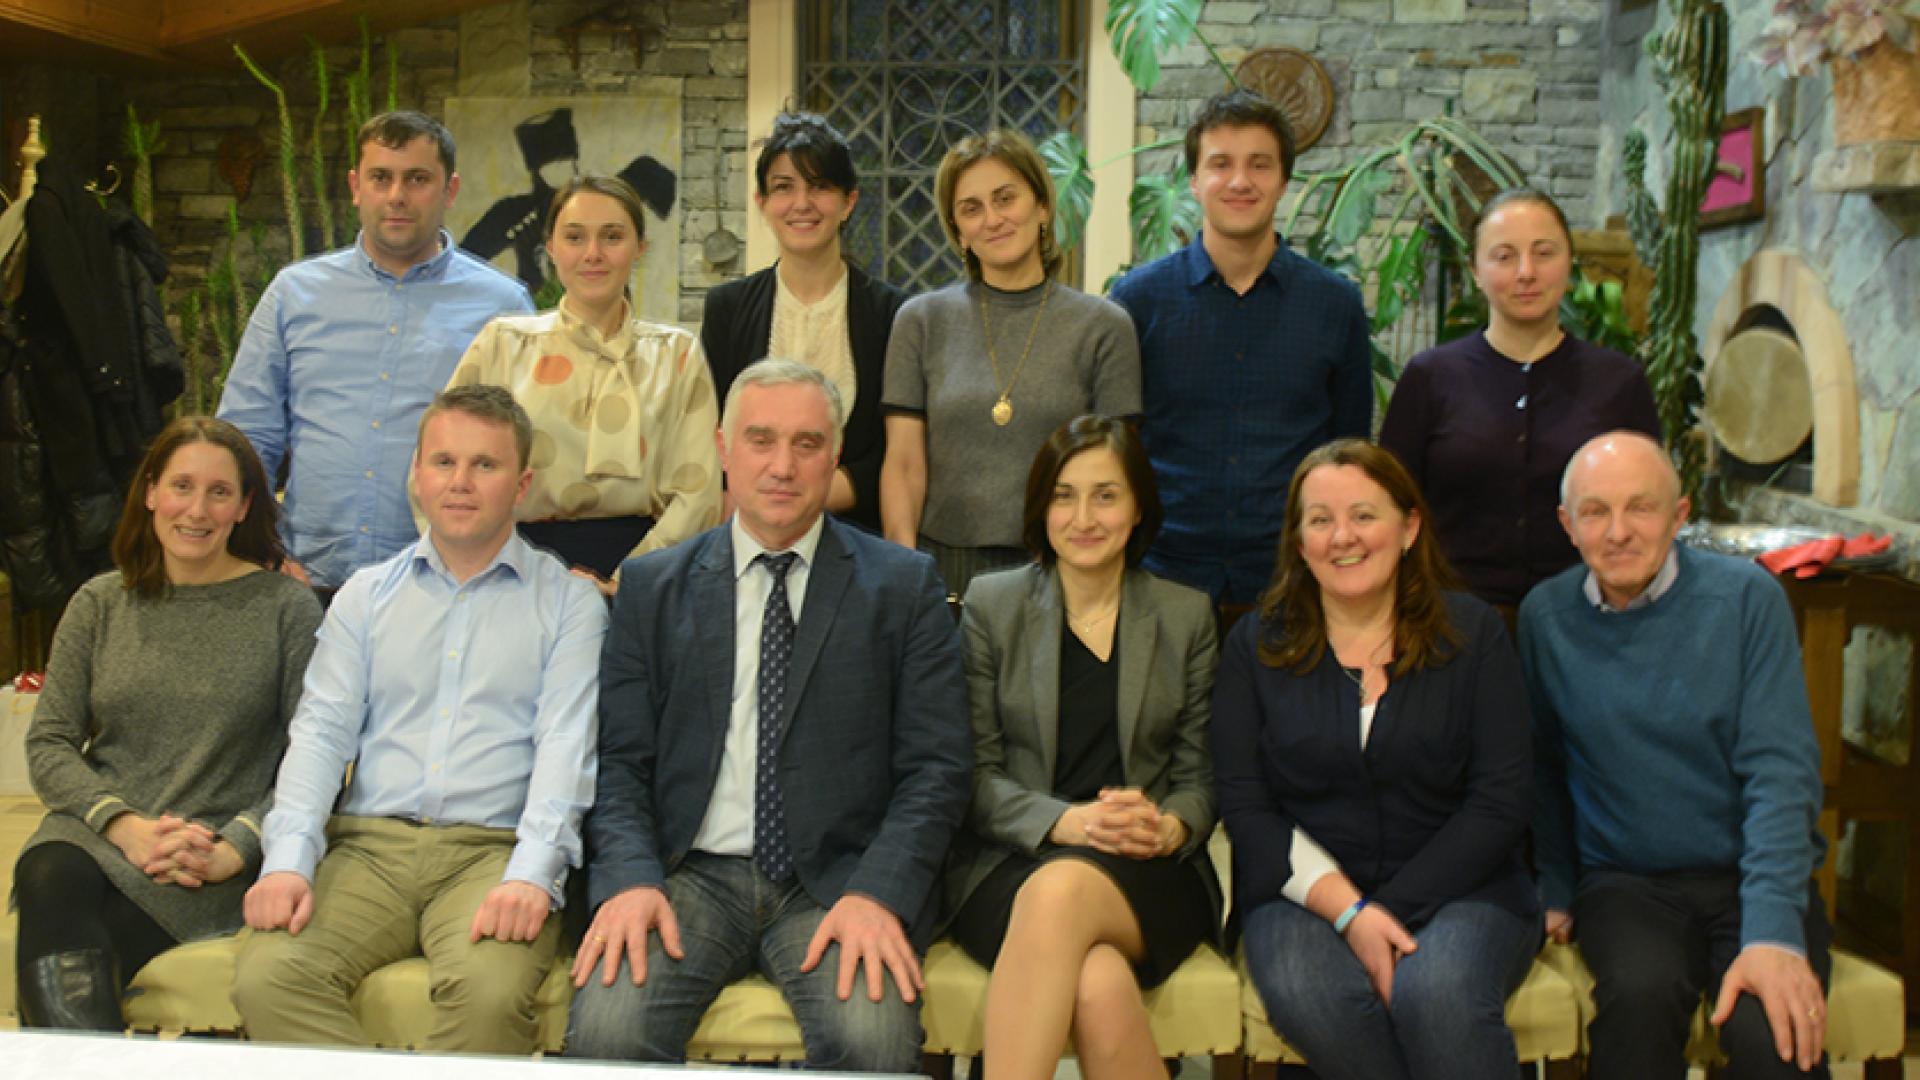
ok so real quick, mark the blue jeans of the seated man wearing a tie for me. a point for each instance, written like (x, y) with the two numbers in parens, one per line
(734, 921)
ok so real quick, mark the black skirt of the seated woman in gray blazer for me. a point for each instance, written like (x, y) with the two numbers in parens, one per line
(1168, 896)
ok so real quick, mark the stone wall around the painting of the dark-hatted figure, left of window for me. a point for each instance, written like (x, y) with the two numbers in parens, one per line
(504, 51)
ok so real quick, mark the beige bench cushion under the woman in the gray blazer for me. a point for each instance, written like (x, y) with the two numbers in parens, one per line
(1193, 1014)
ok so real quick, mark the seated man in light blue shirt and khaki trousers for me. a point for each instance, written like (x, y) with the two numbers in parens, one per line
(462, 681)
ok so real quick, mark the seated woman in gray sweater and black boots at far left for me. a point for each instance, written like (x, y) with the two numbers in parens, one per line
(162, 725)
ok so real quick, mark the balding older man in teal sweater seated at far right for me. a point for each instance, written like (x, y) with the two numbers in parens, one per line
(1677, 781)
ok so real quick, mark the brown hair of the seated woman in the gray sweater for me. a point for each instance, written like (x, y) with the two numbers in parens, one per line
(256, 537)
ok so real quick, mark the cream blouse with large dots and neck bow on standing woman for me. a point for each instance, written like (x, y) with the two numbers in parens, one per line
(623, 426)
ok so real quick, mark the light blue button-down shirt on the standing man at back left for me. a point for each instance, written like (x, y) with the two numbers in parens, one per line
(335, 370)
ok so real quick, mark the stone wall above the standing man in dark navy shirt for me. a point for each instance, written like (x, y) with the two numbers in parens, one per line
(1522, 72)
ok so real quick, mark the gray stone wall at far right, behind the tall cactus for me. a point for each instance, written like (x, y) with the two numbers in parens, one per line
(1863, 247)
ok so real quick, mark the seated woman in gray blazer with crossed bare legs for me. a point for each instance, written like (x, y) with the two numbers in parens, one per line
(1082, 873)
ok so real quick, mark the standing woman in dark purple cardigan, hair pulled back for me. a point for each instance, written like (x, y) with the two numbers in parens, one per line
(1487, 424)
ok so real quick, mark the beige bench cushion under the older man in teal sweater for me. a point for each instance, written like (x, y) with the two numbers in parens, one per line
(1865, 1014)
